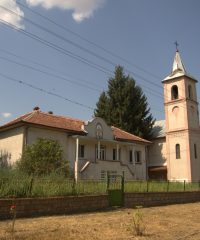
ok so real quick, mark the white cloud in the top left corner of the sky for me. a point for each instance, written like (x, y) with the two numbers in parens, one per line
(9, 17)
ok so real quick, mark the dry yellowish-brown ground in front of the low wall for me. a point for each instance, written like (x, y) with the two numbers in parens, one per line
(175, 222)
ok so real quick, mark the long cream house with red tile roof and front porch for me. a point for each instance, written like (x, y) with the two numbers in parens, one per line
(92, 148)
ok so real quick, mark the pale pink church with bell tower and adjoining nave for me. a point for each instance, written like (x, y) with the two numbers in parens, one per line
(175, 150)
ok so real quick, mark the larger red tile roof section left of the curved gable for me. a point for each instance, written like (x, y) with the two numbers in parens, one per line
(49, 120)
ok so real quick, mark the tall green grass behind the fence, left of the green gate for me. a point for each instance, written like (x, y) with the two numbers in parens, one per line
(15, 183)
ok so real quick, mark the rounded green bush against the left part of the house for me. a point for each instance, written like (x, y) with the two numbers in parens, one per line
(43, 157)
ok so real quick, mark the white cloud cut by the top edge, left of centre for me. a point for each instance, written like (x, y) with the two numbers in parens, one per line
(82, 9)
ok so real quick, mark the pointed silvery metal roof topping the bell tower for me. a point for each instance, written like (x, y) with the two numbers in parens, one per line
(178, 69)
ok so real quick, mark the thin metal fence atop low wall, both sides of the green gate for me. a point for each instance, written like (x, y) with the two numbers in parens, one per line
(47, 187)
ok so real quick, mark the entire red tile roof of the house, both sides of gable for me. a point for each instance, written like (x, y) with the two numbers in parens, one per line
(68, 124)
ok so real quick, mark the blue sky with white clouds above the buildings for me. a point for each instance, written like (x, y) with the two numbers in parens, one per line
(59, 54)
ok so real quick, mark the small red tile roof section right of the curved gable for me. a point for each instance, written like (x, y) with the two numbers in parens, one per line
(125, 136)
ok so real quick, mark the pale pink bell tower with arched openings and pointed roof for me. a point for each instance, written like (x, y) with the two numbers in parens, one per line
(182, 123)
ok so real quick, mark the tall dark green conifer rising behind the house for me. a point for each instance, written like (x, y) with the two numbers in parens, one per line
(124, 105)
